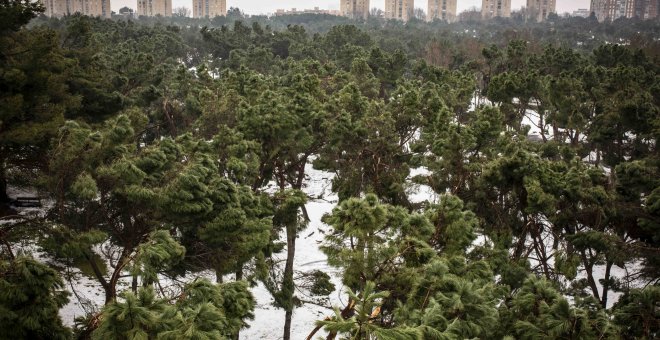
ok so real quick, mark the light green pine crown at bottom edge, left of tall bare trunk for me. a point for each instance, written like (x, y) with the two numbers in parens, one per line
(202, 311)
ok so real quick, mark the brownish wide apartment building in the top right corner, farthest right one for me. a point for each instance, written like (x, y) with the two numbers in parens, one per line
(614, 9)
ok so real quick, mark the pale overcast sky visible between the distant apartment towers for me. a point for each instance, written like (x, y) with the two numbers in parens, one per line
(269, 6)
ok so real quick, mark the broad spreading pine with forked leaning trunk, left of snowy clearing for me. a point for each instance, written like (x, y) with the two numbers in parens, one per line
(109, 189)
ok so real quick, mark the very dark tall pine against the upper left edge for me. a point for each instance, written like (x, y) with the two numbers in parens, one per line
(34, 95)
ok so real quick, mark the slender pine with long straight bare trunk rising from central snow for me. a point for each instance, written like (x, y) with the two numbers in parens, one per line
(286, 121)
